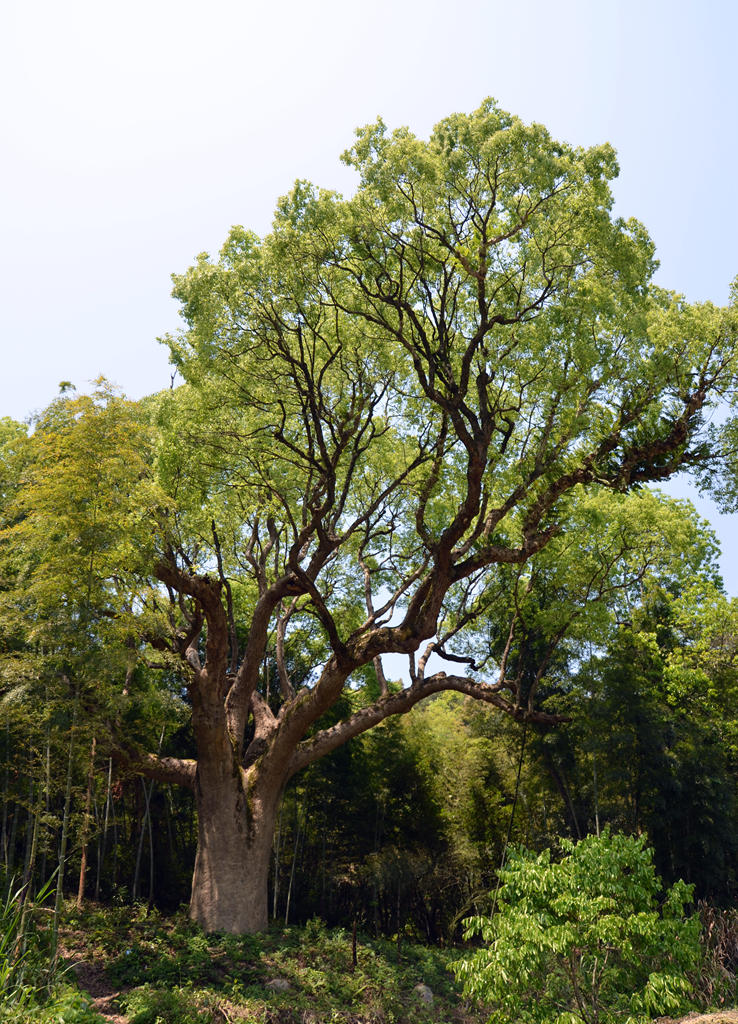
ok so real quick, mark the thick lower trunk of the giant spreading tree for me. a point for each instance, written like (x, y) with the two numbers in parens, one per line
(235, 841)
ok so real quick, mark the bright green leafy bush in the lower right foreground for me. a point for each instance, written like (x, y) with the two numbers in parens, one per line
(584, 940)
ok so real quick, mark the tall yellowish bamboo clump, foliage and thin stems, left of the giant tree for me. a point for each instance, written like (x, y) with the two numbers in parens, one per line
(76, 532)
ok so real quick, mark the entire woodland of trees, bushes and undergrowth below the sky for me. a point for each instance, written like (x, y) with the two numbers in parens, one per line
(373, 642)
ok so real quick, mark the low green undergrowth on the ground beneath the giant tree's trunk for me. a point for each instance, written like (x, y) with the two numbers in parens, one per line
(169, 972)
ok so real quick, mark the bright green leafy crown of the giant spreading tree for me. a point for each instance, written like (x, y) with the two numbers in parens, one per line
(467, 357)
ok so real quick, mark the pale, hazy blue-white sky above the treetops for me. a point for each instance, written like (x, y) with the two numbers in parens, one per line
(134, 136)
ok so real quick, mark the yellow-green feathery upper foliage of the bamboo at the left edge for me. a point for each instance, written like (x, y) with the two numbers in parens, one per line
(77, 537)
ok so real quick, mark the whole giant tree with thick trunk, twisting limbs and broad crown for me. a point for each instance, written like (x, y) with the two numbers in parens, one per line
(393, 405)
